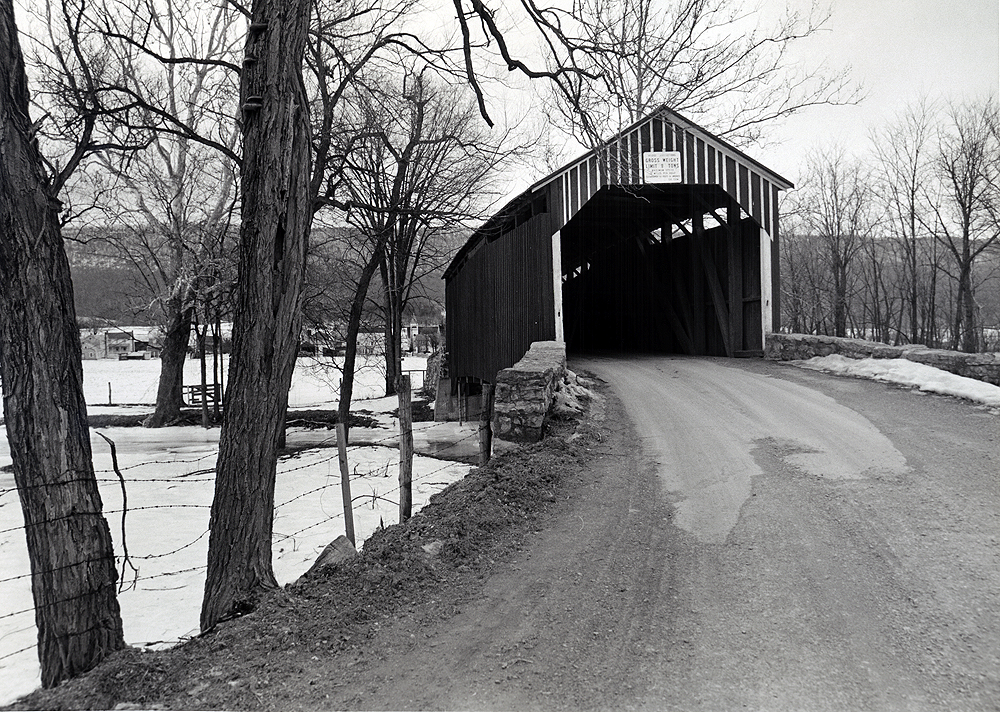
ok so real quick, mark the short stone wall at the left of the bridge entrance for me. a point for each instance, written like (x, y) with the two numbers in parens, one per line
(525, 392)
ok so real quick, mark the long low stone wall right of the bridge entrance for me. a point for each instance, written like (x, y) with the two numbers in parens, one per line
(794, 347)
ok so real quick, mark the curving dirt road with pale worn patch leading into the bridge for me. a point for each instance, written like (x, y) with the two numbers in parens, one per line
(751, 536)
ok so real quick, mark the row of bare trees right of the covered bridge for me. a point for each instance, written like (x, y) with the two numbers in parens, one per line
(901, 245)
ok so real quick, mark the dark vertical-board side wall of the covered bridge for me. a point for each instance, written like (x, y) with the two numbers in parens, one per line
(501, 301)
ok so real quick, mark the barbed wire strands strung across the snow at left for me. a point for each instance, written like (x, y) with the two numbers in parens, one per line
(204, 475)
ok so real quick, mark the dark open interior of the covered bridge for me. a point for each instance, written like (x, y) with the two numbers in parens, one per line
(662, 268)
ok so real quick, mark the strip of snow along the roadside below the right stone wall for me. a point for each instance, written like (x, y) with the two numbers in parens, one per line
(908, 373)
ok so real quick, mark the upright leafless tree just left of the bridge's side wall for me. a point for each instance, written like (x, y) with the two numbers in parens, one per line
(412, 183)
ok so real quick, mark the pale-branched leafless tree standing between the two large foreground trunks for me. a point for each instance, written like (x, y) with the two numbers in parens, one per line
(179, 194)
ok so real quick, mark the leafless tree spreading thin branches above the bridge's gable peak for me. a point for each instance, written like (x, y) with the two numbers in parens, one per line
(712, 60)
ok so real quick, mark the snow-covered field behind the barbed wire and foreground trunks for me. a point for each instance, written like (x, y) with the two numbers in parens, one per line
(169, 476)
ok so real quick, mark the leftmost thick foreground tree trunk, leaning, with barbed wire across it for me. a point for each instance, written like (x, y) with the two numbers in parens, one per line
(69, 544)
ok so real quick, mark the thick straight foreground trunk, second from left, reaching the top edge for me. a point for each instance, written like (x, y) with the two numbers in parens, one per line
(268, 310)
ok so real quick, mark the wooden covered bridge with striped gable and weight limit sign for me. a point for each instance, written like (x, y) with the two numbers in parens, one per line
(664, 239)
